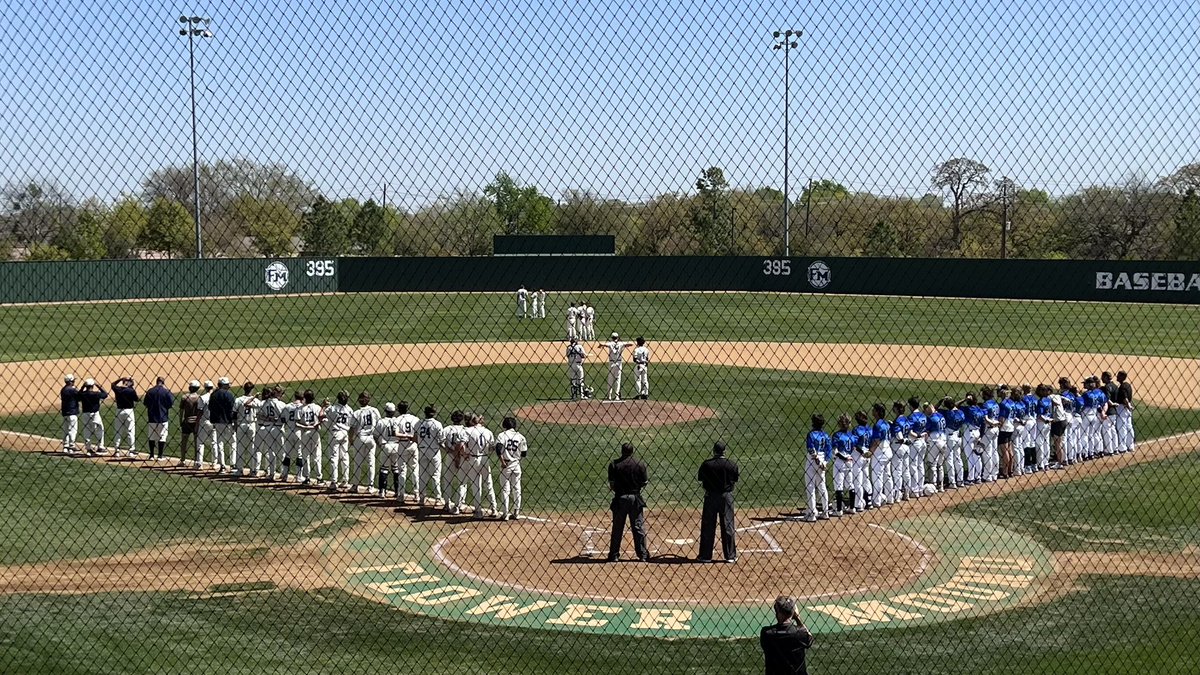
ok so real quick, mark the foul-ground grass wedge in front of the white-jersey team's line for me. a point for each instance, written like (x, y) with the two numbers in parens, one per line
(57, 509)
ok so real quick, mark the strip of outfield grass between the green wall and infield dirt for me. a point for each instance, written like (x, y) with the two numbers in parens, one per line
(31, 333)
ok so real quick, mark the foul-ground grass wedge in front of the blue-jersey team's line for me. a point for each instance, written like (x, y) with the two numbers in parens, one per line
(1145, 507)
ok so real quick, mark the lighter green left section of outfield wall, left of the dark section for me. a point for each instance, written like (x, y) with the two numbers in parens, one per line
(118, 280)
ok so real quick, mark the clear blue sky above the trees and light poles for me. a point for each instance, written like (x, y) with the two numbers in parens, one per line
(625, 99)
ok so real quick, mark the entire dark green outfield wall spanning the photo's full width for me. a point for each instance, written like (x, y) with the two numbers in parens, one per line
(1043, 280)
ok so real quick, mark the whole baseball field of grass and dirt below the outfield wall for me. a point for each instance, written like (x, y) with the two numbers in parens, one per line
(121, 564)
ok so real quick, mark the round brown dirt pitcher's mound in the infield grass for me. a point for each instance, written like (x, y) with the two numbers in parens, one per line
(622, 415)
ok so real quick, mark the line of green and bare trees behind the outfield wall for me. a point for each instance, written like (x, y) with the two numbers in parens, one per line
(256, 210)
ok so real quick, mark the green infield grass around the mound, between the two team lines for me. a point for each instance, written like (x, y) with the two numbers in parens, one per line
(763, 415)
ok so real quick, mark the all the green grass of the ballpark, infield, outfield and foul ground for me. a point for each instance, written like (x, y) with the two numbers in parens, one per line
(59, 510)
